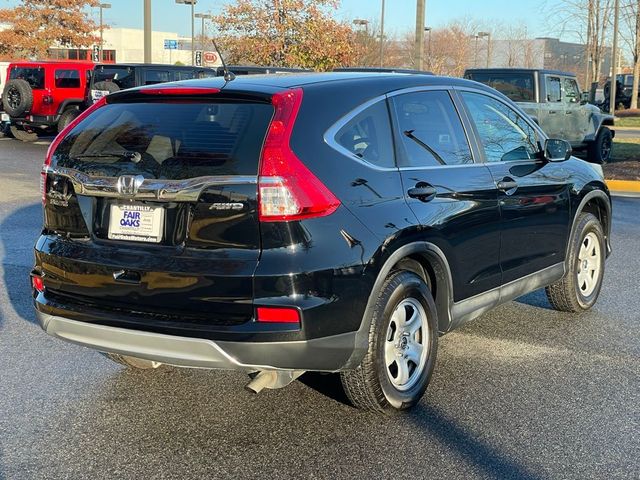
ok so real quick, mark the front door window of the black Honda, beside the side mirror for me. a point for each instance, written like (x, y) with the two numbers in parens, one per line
(503, 132)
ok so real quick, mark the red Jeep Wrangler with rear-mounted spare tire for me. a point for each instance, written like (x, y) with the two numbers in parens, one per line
(44, 97)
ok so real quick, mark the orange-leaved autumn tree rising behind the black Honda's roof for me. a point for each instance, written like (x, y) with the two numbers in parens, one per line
(286, 33)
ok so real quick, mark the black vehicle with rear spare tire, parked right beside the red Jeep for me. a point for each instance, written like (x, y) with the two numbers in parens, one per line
(110, 77)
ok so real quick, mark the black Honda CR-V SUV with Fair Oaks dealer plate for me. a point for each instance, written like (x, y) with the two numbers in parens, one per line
(333, 222)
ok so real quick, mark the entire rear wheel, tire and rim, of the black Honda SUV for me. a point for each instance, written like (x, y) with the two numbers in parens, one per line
(403, 341)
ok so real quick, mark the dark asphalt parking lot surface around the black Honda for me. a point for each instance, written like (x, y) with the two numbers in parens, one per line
(522, 392)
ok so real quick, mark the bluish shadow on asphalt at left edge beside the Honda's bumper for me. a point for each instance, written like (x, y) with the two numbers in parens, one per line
(18, 232)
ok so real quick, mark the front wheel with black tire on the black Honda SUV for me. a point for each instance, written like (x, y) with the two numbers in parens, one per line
(570, 294)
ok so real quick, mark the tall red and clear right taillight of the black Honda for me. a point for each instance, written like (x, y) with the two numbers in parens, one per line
(287, 188)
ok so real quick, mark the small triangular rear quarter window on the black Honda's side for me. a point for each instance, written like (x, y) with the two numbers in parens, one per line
(368, 136)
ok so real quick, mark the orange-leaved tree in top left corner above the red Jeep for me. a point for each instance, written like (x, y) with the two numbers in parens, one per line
(36, 25)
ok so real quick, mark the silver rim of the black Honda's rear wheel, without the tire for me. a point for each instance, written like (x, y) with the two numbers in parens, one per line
(407, 344)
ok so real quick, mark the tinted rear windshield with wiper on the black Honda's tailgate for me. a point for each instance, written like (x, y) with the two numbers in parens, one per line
(168, 140)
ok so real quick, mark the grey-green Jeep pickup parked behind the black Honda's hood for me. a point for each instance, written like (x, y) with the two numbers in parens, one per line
(554, 100)
